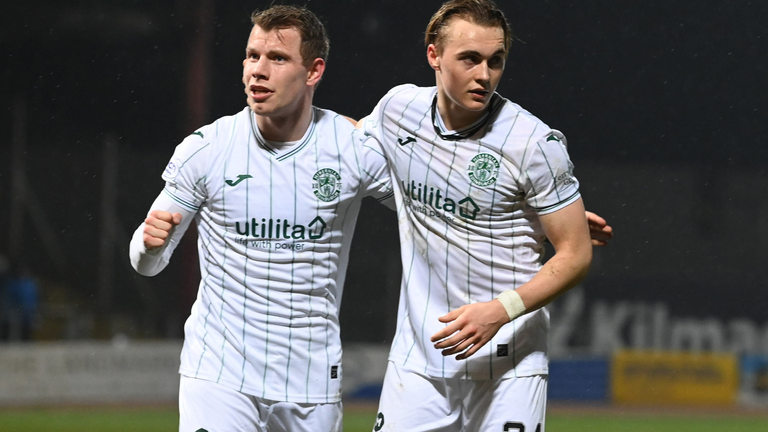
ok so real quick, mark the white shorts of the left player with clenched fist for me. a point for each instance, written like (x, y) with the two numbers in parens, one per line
(205, 406)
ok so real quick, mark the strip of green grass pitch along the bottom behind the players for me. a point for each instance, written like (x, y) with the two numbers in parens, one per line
(361, 419)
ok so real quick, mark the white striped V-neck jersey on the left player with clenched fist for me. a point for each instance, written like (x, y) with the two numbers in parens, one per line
(275, 223)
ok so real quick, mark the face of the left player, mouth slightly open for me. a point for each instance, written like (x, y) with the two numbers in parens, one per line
(276, 80)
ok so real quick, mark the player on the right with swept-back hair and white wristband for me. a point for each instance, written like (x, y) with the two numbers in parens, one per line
(480, 183)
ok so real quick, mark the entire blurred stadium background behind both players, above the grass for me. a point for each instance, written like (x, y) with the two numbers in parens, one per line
(662, 103)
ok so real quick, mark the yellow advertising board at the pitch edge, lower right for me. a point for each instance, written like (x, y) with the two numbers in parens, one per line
(674, 378)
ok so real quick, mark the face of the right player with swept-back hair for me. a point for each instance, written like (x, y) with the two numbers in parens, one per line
(470, 66)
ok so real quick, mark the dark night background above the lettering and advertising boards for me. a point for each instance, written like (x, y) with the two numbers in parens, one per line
(663, 104)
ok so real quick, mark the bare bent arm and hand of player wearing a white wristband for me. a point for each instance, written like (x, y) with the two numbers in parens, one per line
(472, 326)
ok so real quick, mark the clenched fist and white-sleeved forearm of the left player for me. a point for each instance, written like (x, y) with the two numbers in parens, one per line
(154, 240)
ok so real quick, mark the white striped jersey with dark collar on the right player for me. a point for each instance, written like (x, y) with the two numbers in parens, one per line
(467, 204)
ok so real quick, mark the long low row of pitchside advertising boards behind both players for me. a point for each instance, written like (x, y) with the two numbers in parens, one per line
(89, 373)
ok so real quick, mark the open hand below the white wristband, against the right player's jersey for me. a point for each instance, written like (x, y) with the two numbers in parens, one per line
(471, 327)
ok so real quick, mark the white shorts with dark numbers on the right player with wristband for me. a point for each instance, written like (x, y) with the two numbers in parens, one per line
(415, 402)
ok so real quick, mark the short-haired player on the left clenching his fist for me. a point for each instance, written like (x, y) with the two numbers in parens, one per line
(275, 190)
